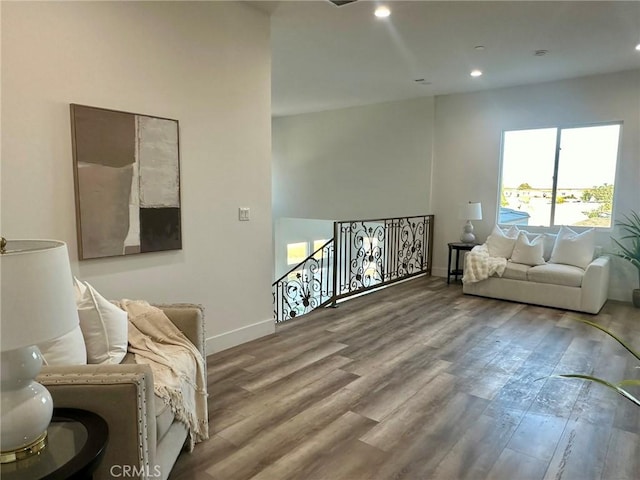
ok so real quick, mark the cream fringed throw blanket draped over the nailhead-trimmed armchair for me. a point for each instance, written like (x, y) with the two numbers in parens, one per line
(178, 367)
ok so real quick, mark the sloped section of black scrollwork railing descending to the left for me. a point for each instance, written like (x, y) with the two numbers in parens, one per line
(305, 287)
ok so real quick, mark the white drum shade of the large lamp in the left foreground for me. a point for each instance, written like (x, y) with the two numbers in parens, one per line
(37, 296)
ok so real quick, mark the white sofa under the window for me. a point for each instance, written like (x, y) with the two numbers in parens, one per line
(549, 284)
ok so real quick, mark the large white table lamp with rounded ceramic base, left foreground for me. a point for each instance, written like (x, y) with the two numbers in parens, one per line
(37, 304)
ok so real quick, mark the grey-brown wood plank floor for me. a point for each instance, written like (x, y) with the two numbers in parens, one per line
(421, 382)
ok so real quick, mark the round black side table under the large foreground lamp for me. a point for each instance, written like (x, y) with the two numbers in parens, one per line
(76, 440)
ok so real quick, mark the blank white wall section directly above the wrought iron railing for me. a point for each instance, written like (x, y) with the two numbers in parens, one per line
(354, 163)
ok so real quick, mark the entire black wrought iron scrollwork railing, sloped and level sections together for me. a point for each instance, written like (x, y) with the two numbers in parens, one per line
(361, 256)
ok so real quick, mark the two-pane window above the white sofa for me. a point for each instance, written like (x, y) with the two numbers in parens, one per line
(559, 176)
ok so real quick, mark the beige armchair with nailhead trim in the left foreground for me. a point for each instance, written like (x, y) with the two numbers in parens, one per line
(144, 438)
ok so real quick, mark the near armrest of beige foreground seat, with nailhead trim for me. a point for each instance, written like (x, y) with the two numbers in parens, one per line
(123, 396)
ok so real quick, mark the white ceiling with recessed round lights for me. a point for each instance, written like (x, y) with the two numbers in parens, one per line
(326, 57)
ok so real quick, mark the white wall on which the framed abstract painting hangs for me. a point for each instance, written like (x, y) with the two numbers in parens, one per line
(206, 64)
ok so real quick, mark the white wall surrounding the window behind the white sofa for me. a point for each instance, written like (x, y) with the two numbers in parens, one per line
(467, 149)
